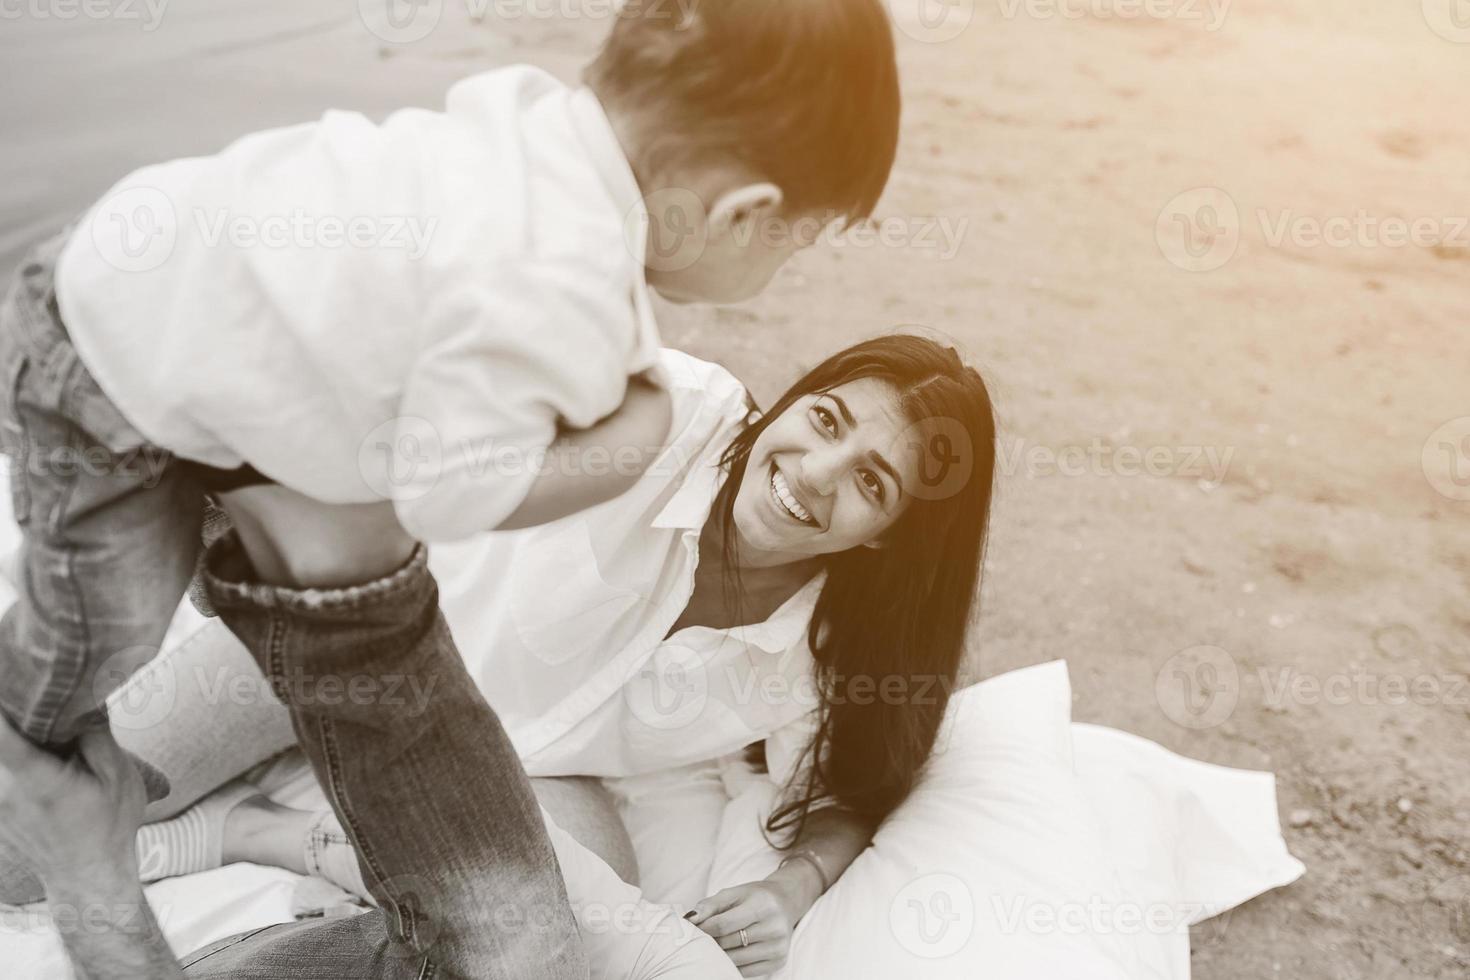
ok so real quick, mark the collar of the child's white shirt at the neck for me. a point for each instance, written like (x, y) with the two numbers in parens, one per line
(596, 133)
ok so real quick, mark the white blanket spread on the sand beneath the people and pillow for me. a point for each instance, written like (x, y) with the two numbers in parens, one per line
(1174, 825)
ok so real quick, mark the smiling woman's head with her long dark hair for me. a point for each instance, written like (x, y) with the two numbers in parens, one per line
(840, 469)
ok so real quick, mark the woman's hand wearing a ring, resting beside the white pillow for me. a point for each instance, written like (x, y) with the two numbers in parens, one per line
(768, 912)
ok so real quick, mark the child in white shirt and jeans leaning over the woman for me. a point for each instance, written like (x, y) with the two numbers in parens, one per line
(405, 311)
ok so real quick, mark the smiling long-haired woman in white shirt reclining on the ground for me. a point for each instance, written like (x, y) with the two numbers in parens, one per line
(797, 583)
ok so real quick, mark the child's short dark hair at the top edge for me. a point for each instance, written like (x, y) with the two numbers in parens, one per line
(802, 92)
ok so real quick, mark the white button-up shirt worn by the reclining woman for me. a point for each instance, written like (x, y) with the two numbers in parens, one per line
(565, 627)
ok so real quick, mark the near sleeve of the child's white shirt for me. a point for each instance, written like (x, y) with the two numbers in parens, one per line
(545, 345)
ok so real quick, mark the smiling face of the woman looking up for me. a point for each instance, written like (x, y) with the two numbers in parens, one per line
(827, 475)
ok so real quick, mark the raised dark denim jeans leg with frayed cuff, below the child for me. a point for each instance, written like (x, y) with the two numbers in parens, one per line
(417, 766)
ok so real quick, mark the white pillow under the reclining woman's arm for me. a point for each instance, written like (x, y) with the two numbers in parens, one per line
(994, 869)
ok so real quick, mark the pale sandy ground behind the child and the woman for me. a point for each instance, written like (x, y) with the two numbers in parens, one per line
(1227, 494)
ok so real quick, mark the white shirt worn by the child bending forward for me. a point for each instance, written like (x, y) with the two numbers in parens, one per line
(359, 309)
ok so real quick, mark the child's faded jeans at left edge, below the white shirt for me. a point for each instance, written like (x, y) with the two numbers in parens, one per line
(111, 525)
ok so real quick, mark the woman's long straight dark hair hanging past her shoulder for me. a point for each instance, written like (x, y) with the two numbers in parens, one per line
(894, 615)
